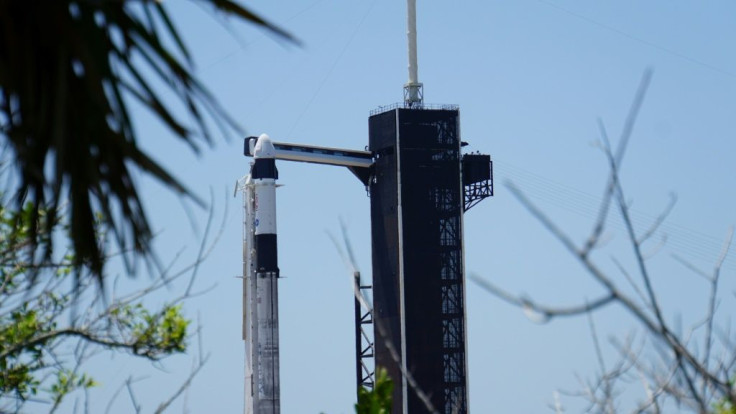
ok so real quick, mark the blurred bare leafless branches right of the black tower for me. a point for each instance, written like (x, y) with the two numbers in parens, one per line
(682, 373)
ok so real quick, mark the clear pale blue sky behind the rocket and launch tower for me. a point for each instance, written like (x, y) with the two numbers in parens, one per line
(531, 77)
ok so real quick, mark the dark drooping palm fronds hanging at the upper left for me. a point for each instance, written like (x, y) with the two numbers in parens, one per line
(70, 71)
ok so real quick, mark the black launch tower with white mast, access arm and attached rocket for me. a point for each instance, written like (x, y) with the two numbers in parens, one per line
(420, 185)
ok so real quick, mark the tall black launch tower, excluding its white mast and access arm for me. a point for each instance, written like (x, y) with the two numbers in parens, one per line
(420, 187)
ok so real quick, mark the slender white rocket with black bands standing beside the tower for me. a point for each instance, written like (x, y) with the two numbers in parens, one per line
(262, 288)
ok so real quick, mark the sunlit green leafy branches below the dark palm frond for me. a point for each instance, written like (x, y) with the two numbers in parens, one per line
(44, 338)
